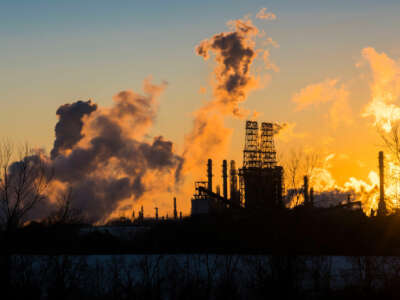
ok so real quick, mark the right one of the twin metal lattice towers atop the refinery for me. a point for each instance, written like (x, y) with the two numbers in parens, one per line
(267, 147)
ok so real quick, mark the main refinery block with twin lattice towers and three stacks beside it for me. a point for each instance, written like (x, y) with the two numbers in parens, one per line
(260, 178)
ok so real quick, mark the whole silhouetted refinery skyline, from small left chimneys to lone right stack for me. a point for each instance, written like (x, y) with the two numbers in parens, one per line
(258, 185)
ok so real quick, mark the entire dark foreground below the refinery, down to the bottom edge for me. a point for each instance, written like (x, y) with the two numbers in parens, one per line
(287, 254)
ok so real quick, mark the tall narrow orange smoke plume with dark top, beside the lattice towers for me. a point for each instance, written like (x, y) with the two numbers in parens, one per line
(234, 53)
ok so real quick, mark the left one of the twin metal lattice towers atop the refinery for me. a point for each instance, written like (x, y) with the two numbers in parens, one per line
(251, 157)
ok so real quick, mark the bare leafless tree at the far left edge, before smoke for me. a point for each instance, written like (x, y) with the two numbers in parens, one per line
(22, 183)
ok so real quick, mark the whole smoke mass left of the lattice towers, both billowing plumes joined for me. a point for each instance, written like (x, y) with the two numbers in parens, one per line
(104, 156)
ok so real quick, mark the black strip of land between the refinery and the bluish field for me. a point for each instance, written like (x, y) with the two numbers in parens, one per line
(299, 231)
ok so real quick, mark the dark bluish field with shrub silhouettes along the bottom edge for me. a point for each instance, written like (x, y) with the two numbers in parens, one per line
(202, 276)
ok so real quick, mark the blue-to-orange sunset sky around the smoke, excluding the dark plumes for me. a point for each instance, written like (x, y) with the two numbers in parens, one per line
(57, 52)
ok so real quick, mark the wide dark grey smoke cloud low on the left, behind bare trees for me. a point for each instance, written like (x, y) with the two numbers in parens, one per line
(102, 155)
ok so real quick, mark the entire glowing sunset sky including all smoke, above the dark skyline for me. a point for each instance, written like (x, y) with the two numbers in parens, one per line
(159, 96)
